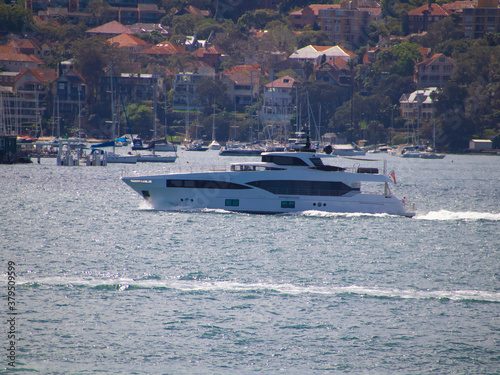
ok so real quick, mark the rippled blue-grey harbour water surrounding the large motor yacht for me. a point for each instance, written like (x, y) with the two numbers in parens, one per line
(107, 285)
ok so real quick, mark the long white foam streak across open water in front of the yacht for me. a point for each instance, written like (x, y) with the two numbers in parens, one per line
(123, 284)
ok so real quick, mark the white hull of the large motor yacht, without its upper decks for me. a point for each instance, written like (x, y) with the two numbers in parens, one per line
(237, 194)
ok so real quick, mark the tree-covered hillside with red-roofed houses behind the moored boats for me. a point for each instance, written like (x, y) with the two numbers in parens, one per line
(365, 71)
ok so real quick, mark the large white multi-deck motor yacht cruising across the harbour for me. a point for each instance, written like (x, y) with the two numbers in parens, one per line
(282, 182)
